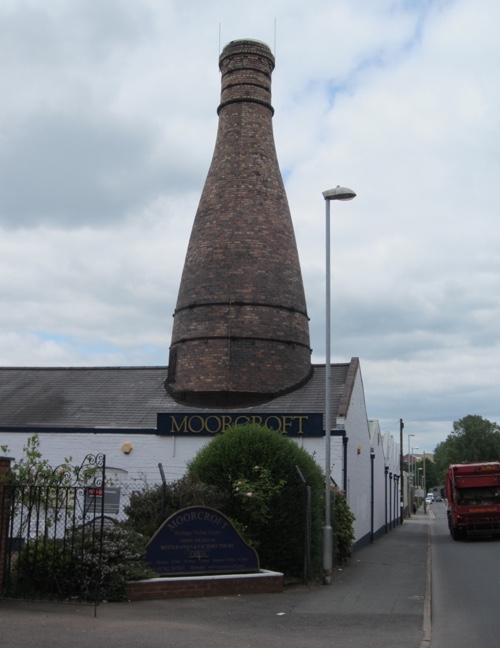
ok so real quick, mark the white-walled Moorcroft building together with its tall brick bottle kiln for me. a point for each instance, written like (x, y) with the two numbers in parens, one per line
(240, 342)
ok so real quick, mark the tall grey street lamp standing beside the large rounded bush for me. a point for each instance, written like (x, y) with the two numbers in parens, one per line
(339, 193)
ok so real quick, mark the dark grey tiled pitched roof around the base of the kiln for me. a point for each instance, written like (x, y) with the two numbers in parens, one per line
(131, 397)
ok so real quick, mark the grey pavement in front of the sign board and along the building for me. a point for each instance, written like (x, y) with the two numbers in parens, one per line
(381, 599)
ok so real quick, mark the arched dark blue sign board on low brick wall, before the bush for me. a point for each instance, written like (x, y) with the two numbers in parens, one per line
(199, 540)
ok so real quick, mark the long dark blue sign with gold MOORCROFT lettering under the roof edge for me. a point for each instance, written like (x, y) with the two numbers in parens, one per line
(294, 425)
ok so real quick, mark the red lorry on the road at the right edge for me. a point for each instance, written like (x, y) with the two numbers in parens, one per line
(473, 499)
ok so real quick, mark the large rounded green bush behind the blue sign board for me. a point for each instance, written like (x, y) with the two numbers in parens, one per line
(257, 469)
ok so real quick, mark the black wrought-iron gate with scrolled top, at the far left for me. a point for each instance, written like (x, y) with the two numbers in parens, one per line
(53, 544)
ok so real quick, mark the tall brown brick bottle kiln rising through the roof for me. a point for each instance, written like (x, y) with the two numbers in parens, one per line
(241, 330)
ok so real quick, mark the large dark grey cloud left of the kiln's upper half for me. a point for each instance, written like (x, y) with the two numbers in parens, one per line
(69, 171)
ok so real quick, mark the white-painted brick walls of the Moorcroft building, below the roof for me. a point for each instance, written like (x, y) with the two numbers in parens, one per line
(148, 450)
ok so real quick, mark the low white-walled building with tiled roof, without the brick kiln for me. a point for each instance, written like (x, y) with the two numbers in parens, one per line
(126, 413)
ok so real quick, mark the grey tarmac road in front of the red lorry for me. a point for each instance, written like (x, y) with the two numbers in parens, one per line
(465, 588)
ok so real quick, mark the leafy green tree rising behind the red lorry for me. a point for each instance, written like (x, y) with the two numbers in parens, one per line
(473, 439)
